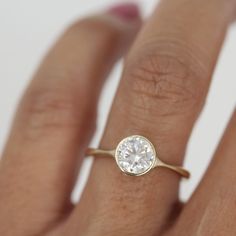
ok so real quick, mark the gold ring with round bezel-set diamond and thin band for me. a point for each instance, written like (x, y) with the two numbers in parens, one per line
(136, 155)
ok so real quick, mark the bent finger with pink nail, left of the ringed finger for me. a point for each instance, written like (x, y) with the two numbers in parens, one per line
(55, 122)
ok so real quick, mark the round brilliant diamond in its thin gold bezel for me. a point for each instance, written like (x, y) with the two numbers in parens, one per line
(135, 155)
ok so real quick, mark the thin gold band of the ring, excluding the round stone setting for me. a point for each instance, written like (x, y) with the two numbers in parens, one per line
(184, 173)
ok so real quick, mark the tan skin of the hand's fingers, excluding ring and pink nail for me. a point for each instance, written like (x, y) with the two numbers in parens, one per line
(167, 73)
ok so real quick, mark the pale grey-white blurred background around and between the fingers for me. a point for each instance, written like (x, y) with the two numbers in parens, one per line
(28, 28)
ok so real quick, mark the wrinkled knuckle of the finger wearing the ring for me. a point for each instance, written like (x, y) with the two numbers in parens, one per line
(164, 84)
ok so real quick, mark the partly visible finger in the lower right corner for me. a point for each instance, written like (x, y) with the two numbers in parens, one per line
(213, 203)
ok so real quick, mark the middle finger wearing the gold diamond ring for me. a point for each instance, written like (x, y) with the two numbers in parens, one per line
(165, 81)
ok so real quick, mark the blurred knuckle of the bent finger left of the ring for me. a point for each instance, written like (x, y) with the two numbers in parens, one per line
(47, 109)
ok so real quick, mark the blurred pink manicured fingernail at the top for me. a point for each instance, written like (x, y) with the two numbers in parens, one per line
(126, 11)
